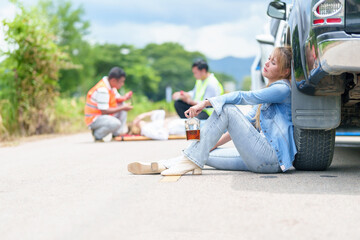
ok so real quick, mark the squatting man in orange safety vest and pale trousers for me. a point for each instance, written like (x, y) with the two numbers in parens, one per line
(105, 110)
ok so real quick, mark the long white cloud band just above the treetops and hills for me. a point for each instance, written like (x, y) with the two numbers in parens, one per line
(215, 41)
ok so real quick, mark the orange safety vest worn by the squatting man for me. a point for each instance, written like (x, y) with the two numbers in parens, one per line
(91, 109)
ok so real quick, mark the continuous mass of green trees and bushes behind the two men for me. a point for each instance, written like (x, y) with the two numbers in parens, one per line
(49, 54)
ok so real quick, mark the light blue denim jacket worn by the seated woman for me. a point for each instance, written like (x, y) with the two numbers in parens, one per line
(275, 116)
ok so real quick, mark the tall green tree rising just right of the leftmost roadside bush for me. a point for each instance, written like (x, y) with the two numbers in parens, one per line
(68, 24)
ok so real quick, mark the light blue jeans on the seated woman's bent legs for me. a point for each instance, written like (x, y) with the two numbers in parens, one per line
(252, 152)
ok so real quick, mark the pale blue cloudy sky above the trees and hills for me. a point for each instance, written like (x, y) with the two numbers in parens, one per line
(217, 28)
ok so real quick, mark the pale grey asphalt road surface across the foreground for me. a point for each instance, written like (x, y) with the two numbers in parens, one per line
(71, 188)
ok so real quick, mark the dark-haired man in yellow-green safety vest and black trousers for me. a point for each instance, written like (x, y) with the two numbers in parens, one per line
(206, 86)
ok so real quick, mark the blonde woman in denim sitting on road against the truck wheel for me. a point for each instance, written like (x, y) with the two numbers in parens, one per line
(263, 138)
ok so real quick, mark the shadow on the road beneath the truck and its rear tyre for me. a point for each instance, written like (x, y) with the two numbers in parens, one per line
(342, 177)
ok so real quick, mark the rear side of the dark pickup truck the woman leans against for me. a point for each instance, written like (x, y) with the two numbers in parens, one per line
(325, 39)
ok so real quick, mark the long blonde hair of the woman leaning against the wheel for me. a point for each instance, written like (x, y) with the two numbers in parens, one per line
(283, 56)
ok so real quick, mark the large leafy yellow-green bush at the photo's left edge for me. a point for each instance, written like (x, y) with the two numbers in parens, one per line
(29, 75)
